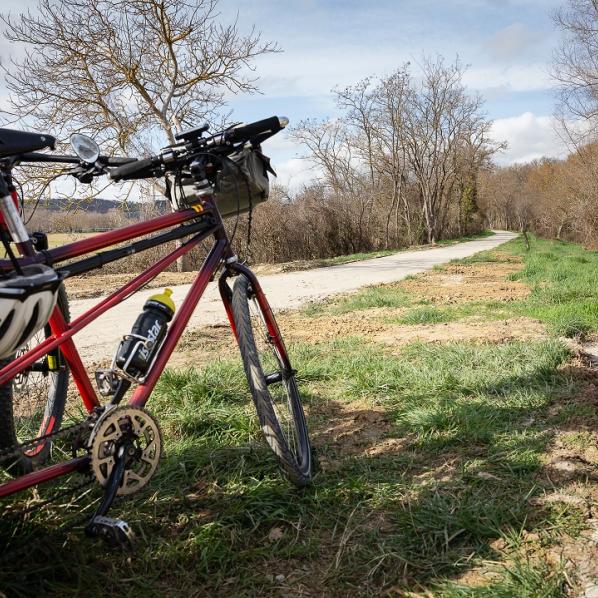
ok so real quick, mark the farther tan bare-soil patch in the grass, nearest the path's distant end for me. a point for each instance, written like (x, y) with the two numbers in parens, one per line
(458, 283)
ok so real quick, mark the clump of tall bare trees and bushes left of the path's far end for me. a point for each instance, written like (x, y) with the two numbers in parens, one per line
(398, 164)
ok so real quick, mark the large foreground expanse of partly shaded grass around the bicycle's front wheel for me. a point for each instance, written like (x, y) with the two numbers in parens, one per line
(367, 524)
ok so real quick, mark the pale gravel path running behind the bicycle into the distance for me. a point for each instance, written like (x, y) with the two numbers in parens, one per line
(287, 290)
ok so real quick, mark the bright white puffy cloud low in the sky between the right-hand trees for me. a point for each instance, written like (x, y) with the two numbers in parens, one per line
(529, 137)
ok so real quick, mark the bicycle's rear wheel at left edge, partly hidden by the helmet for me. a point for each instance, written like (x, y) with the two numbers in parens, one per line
(32, 404)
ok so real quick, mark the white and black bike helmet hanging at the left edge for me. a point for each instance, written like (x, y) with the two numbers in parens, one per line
(26, 304)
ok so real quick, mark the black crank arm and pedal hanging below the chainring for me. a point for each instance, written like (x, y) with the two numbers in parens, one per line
(115, 532)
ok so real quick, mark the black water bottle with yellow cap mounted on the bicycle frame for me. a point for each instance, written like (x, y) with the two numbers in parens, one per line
(137, 350)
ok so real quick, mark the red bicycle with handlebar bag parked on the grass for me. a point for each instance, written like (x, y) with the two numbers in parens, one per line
(118, 443)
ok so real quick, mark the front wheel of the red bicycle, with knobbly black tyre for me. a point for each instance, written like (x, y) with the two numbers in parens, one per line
(268, 382)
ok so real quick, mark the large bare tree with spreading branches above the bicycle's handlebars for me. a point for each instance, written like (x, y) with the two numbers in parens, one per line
(130, 72)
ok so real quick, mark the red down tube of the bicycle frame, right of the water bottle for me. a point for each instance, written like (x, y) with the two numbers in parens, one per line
(141, 395)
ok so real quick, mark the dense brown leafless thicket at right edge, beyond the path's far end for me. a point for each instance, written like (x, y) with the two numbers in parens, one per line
(553, 198)
